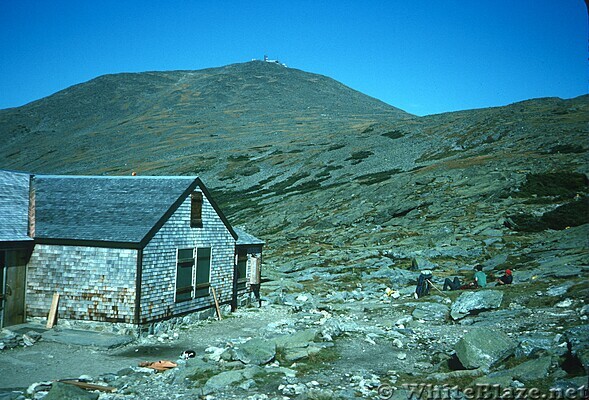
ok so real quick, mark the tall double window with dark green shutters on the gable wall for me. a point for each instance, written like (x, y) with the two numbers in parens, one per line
(193, 278)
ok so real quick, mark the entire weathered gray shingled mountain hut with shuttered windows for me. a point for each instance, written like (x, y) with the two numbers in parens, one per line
(131, 249)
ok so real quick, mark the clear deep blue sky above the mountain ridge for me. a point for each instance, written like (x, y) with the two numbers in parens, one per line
(424, 57)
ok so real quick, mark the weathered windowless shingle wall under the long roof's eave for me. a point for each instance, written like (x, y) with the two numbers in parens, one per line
(94, 283)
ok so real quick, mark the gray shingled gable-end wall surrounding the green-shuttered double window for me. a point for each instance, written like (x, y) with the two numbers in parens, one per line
(159, 262)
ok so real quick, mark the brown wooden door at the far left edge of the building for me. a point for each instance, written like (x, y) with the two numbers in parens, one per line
(14, 287)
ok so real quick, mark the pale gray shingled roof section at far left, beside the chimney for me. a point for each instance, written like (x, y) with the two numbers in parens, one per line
(14, 206)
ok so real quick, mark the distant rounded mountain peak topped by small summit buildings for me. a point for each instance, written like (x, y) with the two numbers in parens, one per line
(178, 113)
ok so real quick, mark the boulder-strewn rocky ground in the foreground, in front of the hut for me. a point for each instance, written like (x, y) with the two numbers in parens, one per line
(336, 332)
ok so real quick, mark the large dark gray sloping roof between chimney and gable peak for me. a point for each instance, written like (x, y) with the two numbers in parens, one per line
(109, 209)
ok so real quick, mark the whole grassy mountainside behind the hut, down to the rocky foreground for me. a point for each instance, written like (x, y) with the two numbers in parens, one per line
(307, 163)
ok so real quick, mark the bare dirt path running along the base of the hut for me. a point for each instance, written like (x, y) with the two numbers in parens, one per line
(20, 367)
